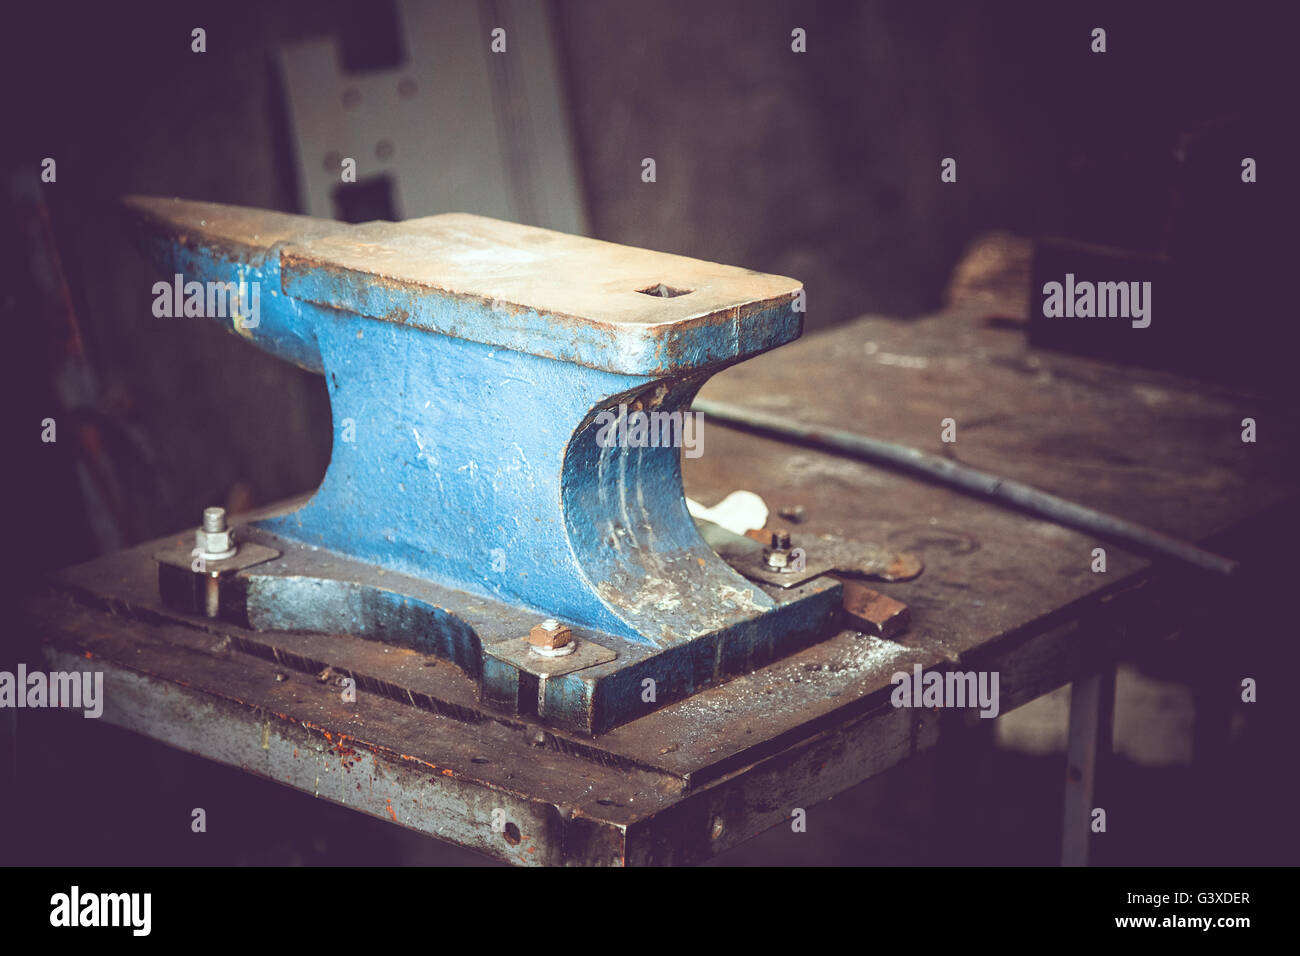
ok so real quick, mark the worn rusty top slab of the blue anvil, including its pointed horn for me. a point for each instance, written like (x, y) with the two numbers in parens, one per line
(545, 287)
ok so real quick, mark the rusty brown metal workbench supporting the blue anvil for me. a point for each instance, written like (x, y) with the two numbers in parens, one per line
(1002, 591)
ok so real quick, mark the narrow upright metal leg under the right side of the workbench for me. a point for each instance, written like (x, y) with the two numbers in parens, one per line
(1093, 711)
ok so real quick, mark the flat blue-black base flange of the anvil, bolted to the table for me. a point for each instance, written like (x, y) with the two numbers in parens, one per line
(606, 681)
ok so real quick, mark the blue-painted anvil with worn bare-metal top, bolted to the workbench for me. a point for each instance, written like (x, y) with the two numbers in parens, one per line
(471, 366)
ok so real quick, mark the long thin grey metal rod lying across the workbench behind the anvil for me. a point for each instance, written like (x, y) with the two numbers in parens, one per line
(968, 479)
